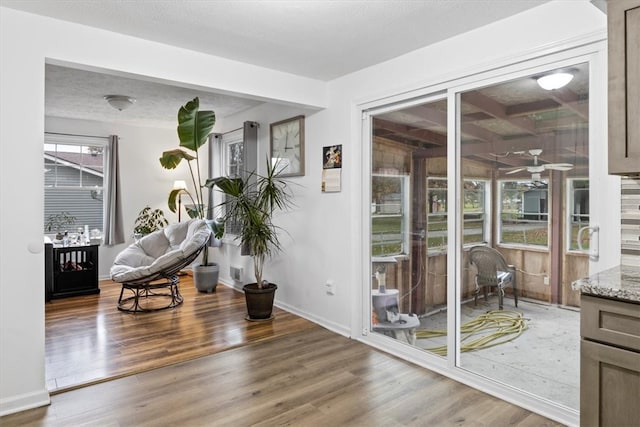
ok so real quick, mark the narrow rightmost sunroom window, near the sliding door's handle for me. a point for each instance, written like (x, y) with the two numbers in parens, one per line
(578, 211)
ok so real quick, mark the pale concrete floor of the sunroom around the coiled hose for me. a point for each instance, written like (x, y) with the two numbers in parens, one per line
(543, 360)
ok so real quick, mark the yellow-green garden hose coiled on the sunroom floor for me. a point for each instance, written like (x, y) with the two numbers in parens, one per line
(492, 328)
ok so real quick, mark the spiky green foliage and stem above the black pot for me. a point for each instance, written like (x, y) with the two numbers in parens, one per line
(251, 202)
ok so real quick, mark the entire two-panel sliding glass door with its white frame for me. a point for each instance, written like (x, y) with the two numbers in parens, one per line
(484, 202)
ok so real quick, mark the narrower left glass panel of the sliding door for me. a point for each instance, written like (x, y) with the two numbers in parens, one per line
(409, 225)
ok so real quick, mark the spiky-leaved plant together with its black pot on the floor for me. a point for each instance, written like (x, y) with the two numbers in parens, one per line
(251, 203)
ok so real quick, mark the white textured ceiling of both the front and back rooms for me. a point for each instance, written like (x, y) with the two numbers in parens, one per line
(321, 39)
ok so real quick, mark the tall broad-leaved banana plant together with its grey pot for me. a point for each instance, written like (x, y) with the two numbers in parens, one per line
(194, 128)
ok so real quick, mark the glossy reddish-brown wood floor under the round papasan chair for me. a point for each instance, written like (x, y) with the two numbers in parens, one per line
(89, 340)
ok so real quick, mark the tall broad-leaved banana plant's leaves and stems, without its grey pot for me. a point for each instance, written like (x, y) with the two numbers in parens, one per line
(194, 128)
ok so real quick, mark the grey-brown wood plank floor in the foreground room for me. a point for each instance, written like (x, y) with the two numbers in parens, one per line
(309, 378)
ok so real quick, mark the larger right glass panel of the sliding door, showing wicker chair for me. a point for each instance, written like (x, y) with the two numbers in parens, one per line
(524, 174)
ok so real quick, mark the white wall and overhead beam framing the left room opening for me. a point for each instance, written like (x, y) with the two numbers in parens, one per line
(27, 42)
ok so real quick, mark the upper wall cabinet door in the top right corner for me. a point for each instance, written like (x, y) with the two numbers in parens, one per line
(624, 86)
